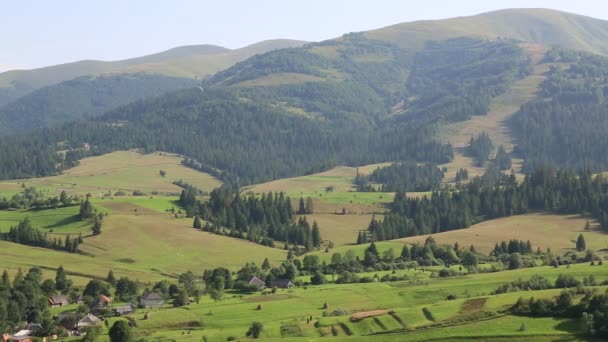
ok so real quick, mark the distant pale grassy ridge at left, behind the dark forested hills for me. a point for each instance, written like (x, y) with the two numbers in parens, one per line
(196, 61)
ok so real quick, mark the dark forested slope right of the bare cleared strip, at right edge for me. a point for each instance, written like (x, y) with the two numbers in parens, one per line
(567, 125)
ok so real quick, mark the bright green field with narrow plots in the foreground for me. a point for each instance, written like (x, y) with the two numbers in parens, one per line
(412, 311)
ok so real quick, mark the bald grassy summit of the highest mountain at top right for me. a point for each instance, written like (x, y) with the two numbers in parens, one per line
(542, 26)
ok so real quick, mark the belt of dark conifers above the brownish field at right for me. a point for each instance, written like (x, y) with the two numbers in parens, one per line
(547, 190)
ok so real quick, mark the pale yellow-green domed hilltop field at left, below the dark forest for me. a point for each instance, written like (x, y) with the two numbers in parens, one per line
(125, 171)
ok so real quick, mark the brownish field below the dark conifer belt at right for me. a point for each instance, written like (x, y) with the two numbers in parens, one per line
(558, 232)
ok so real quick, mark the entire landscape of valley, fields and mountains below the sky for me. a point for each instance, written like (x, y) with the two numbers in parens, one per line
(435, 180)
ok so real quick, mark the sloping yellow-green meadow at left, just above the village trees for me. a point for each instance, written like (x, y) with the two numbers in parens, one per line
(142, 242)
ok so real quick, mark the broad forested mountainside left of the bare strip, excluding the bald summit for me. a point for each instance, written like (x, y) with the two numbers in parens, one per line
(255, 133)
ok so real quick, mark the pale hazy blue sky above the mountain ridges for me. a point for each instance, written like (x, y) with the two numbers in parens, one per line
(40, 33)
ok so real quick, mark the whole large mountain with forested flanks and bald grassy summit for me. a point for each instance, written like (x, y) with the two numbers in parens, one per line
(358, 99)
